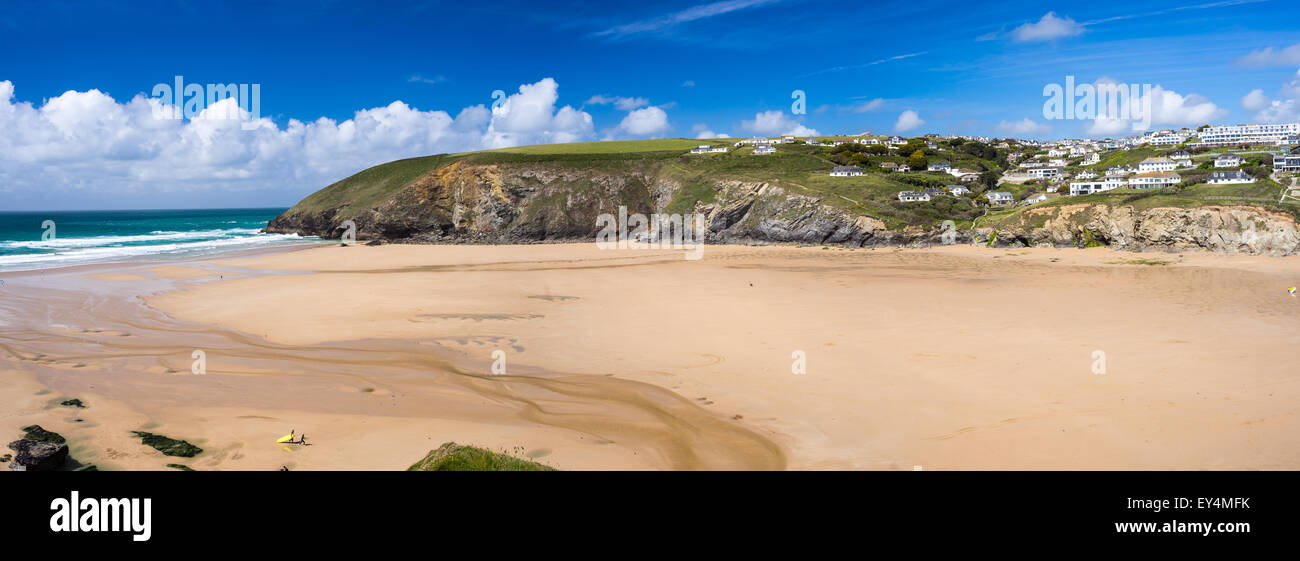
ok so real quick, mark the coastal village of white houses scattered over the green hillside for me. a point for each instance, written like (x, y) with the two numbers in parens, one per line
(1237, 162)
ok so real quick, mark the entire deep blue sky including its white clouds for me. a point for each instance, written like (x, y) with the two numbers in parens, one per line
(623, 71)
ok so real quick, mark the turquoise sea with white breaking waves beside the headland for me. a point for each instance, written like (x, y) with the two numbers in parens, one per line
(50, 240)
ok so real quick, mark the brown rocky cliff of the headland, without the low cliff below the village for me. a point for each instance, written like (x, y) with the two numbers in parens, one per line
(530, 203)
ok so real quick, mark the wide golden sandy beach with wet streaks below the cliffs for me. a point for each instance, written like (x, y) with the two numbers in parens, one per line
(957, 358)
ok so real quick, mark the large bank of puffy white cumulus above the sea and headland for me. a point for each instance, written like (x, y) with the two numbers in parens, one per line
(90, 145)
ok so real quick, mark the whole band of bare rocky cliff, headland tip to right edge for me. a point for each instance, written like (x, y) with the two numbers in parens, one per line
(522, 203)
